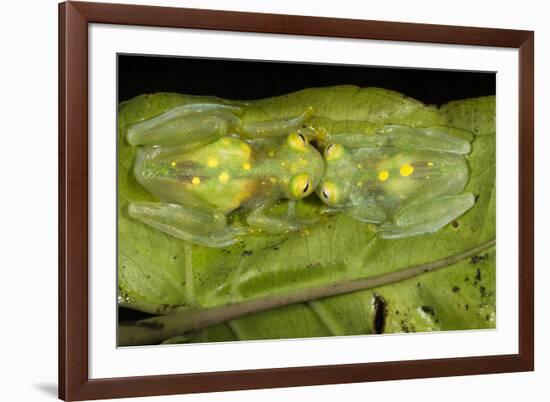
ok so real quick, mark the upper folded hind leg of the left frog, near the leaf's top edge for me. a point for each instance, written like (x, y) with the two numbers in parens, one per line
(186, 124)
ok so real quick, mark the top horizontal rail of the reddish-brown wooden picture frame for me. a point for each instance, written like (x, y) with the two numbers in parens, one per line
(298, 25)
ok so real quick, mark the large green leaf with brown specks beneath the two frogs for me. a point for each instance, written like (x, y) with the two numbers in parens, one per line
(158, 272)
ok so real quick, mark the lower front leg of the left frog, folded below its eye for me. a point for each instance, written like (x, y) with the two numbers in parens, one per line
(260, 219)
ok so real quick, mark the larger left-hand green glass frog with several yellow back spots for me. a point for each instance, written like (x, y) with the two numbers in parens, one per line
(203, 163)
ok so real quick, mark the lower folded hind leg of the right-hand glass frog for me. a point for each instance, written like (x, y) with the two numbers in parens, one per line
(427, 216)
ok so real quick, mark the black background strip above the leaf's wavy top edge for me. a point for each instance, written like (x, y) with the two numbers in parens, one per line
(236, 79)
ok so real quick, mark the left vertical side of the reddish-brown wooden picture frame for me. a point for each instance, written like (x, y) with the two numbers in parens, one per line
(73, 202)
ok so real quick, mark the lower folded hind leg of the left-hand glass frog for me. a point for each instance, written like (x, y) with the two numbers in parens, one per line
(202, 224)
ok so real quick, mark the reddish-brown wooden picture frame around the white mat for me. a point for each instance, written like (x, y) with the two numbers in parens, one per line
(74, 382)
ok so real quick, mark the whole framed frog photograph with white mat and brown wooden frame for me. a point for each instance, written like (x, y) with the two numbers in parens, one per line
(258, 200)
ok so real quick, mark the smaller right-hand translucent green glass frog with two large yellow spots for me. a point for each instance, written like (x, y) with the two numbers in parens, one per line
(409, 181)
